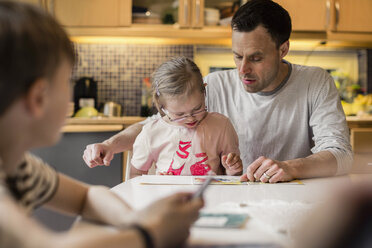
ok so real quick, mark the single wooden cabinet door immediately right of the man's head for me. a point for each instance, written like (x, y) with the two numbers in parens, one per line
(307, 15)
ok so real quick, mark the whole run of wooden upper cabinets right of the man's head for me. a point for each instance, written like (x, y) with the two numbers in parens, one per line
(331, 20)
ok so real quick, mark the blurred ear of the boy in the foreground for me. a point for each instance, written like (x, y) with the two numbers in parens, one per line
(36, 97)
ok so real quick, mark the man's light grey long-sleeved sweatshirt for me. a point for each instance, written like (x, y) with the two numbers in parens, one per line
(301, 117)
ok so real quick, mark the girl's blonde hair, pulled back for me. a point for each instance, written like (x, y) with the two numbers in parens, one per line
(175, 77)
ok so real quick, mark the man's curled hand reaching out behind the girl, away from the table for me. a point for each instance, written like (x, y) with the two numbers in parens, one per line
(97, 154)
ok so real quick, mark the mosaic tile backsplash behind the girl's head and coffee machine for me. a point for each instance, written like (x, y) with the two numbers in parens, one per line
(120, 68)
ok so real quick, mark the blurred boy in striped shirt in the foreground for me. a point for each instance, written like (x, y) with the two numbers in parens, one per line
(35, 67)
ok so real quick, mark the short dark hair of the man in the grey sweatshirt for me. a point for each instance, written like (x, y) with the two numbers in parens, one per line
(267, 13)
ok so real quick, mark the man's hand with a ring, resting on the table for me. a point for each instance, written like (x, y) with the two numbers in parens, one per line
(267, 170)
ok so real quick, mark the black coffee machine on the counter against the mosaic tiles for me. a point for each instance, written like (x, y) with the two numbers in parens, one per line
(85, 93)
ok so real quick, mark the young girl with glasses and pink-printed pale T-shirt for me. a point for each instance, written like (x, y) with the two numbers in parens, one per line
(186, 140)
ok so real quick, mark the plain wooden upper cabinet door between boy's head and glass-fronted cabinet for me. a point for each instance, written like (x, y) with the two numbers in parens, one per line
(91, 13)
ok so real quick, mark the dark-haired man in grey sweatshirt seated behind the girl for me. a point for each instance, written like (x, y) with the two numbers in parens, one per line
(288, 117)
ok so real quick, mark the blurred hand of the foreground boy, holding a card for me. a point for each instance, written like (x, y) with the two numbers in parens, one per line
(169, 219)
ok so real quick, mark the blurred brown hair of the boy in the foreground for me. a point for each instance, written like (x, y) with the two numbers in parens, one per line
(32, 46)
